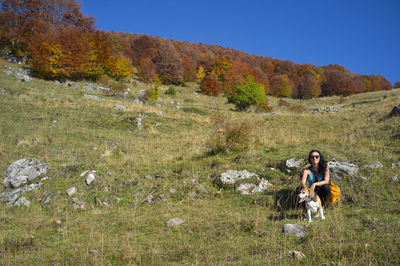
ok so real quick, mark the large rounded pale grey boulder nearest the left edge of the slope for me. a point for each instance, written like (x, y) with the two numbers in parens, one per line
(24, 170)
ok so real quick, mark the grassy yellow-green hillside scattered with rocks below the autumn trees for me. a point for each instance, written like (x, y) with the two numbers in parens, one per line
(173, 149)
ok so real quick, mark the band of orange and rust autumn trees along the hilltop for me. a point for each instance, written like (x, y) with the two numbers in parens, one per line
(61, 42)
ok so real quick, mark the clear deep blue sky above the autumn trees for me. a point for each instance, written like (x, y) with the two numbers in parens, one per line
(363, 36)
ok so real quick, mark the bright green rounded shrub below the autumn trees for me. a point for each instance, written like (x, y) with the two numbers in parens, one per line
(246, 94)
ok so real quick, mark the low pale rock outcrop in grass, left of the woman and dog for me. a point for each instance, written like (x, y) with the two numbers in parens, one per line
(242, 181)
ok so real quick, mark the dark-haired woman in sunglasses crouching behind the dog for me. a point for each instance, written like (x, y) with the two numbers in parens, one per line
(317, 176)
